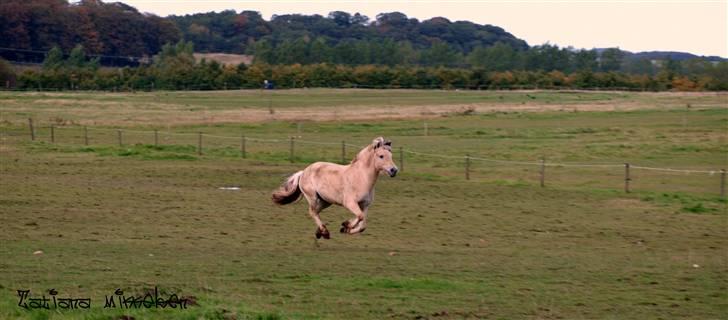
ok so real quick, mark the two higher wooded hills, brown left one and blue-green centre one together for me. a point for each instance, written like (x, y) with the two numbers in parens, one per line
(30, 28)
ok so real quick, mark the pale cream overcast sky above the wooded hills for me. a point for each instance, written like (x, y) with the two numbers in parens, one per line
(699, 27)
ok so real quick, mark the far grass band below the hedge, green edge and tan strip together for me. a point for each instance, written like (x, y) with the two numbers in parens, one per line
(165, 108)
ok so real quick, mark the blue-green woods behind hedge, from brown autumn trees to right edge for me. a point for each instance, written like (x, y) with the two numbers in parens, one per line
(393, 39)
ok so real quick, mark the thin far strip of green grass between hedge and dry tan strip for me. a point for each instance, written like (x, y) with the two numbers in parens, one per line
(327, 97)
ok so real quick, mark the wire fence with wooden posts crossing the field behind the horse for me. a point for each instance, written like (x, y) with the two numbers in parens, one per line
(346, 148)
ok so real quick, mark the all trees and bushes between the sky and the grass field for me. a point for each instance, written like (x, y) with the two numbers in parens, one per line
(389, 50)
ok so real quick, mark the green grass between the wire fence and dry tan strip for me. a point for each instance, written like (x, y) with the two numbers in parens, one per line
(651, 138)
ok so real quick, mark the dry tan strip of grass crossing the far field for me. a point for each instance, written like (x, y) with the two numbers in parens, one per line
(159, 113)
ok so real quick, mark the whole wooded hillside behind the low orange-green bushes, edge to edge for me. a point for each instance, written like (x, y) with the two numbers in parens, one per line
(119, 35)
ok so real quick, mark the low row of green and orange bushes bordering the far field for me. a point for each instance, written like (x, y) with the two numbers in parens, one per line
(175, 68)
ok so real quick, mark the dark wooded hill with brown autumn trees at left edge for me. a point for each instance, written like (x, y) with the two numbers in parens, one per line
(30, 28)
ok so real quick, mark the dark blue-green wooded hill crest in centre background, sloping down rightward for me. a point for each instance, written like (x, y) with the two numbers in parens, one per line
(248, 32)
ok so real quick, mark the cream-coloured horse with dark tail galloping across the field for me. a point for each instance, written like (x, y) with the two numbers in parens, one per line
(350, 186)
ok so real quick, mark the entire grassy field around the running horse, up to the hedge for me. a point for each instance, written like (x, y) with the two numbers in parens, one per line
(437, 247)
